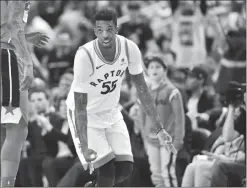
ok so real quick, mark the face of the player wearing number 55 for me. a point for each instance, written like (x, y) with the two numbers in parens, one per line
(105, 32)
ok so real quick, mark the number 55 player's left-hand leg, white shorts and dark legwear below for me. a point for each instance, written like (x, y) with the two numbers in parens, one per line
(98, 142)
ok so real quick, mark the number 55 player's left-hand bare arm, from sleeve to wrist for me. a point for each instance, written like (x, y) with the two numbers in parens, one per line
(81, 118)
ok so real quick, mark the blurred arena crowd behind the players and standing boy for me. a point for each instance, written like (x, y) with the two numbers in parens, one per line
(203, 44)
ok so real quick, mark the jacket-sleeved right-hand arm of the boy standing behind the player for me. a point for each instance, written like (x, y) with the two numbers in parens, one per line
(178, 110)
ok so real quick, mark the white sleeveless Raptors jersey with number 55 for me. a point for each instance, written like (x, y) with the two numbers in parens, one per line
(106, 80)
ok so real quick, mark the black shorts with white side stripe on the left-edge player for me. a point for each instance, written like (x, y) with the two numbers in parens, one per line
(10, 83)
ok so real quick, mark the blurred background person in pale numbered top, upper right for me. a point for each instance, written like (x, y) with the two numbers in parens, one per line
(188, 38)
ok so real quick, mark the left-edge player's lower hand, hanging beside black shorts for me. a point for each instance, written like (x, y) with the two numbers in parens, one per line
(28, 77)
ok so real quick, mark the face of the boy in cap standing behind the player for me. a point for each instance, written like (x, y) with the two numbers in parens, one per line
(156, 71)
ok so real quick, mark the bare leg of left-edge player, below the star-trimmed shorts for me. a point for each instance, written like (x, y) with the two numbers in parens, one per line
(11, 151)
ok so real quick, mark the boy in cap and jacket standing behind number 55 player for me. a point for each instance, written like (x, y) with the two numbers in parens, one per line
(169, 105)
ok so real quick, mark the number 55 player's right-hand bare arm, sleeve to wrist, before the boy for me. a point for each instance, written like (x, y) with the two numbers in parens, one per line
(145, 97)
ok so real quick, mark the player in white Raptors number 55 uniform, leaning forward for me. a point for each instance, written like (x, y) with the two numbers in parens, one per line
(94, 117)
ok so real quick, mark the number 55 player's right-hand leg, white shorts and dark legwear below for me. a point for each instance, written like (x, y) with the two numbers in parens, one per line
(119, 140)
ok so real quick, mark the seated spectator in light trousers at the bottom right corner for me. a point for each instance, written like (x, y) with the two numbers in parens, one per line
(229, 150)
